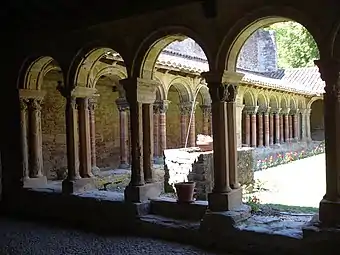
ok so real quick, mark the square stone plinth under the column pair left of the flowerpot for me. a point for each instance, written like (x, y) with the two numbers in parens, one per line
(139, 194)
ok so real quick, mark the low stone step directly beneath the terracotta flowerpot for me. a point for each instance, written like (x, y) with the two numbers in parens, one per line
(168, 207)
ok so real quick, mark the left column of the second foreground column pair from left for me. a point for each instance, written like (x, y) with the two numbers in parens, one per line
(72, 141)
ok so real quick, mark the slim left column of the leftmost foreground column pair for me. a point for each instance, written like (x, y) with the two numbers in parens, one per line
(23, 122)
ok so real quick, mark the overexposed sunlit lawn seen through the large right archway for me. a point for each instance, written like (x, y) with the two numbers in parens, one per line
(299, 183)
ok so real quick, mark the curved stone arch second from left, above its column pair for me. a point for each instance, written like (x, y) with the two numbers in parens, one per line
(86, 66)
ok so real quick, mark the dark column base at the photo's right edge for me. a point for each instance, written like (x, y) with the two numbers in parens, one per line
(329, 213)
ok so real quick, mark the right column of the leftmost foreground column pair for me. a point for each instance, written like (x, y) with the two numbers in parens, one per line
(36, 158)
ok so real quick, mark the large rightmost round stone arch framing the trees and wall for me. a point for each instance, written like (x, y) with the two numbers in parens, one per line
(244, 28)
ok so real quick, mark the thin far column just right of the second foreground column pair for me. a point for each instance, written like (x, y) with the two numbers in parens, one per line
(92, 108)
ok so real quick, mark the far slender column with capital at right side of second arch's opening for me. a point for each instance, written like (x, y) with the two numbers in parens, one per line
(123, 108)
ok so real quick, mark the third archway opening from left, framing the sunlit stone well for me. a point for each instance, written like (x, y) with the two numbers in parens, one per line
(176, 62)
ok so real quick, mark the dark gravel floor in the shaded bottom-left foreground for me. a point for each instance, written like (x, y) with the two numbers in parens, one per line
(17, 237)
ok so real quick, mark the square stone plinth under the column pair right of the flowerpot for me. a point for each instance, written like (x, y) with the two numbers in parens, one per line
(219, 202)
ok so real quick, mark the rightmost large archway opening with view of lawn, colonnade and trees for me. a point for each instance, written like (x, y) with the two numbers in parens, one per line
(276, 56)
